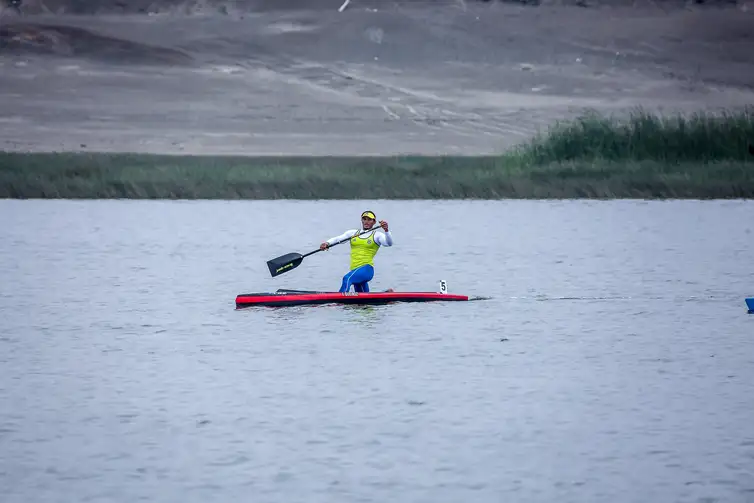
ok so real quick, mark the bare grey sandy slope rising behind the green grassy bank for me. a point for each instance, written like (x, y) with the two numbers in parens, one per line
(408, 77)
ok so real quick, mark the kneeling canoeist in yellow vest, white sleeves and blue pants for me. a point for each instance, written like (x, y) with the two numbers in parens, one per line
(363, 250)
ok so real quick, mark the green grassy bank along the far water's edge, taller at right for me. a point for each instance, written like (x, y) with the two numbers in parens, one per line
(644, 156)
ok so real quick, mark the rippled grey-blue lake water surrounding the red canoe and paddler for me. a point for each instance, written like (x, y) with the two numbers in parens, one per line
(614, 361)
